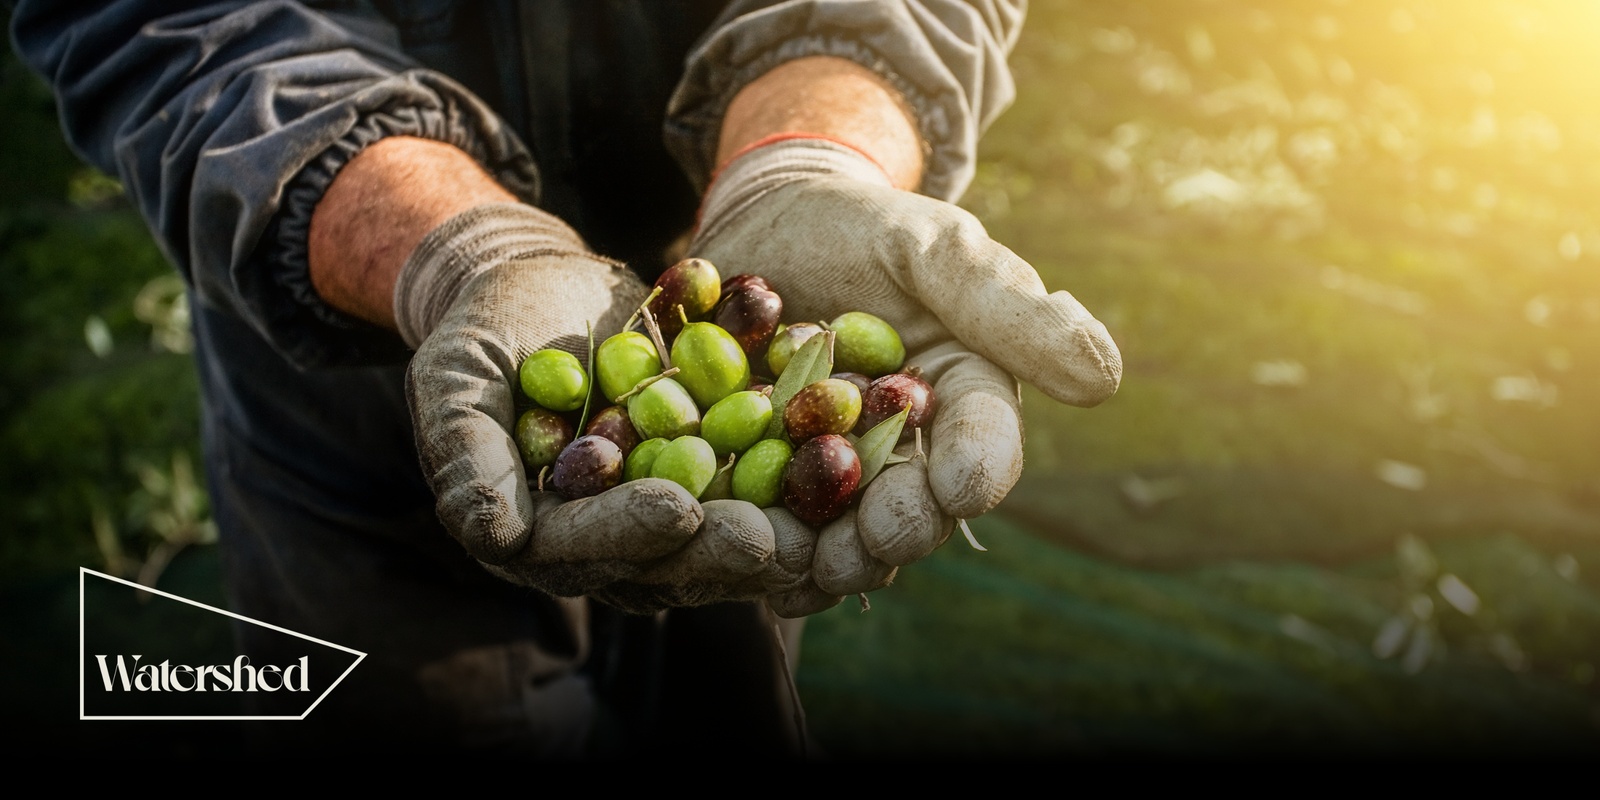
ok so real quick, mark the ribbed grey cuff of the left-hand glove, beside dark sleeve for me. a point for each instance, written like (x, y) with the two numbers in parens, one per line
(466, 247)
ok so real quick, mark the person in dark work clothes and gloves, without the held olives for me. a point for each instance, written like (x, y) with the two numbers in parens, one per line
(383, 207)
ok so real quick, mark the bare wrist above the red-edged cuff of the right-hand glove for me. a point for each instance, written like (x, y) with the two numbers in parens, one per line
(834, 98)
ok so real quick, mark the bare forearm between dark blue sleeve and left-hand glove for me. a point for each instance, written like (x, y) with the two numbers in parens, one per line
(378, 209)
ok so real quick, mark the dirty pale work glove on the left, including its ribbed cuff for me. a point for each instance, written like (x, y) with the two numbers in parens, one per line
(481, 294)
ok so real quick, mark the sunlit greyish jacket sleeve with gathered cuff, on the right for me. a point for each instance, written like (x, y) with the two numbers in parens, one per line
(948, 58)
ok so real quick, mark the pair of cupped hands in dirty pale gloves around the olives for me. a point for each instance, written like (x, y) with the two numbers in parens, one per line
(970, 313)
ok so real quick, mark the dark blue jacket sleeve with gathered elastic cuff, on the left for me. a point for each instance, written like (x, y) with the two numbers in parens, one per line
(228, 121)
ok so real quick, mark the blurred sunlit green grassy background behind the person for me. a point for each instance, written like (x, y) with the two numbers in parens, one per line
(1348, 500)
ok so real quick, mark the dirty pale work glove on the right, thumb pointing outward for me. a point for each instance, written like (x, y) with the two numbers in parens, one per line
(825, 225)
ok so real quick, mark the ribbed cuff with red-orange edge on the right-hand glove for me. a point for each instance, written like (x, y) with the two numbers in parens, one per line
(775, 162)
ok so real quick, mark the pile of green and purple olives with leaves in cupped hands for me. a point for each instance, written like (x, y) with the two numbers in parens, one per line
(807, 426)
